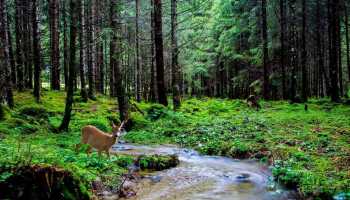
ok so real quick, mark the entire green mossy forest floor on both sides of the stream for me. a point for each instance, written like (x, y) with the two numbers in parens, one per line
(308, 150)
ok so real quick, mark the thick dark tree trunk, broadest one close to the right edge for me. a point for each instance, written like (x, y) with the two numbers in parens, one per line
(334, 37)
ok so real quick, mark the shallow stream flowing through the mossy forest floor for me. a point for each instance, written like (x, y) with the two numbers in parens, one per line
(200, 177)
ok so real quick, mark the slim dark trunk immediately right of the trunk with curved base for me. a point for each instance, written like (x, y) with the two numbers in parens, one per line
(82, 51)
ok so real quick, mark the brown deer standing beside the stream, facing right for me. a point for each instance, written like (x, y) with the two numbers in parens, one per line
(98, 139)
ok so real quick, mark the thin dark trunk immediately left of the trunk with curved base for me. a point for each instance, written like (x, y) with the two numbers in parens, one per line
(65, 47)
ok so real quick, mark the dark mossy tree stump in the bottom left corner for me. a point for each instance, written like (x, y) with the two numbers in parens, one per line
(42, 182)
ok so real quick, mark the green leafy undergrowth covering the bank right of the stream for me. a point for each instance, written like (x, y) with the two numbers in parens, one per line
(309, 150)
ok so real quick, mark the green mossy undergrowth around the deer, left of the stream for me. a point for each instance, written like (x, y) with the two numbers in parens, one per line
(28, 138)
